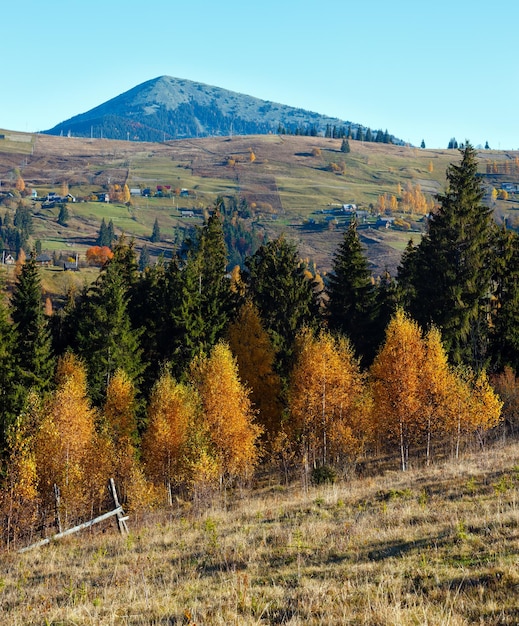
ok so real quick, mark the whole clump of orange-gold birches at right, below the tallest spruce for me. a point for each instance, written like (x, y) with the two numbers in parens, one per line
(418, 396)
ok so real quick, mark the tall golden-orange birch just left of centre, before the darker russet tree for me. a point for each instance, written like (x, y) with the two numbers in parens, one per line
(227, 417)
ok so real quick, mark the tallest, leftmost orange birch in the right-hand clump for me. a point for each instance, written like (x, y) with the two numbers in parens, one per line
(396, 379)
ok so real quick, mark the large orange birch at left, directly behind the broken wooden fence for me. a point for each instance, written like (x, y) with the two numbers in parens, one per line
(69, 453)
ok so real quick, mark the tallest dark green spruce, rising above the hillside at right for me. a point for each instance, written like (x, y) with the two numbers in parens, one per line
(453, 265)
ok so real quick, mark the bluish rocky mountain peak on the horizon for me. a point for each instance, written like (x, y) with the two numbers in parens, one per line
(173, 108)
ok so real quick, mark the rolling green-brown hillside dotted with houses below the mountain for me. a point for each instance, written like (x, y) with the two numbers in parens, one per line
(293, 185)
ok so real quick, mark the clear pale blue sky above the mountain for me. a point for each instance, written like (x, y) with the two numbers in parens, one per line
(421, 70)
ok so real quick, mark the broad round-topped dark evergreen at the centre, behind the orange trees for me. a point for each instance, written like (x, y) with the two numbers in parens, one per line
(284, 295)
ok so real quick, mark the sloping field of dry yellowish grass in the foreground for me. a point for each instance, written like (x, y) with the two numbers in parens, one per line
(432, 546)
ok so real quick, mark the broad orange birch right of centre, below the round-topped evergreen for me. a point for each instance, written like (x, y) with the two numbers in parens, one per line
(326, 407)
